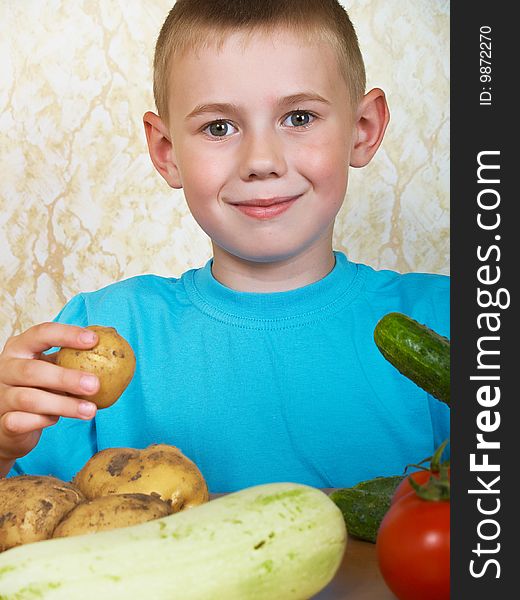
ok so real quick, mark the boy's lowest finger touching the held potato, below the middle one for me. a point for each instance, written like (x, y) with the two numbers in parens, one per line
(18, 400)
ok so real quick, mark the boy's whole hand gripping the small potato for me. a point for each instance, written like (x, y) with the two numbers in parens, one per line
(35, 392)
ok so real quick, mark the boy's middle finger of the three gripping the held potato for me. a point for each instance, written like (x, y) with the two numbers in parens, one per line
(42, 374)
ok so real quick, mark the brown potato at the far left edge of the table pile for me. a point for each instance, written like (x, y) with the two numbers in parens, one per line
(31, 506)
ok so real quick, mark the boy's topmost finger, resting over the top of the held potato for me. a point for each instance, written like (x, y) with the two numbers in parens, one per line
(39, 338)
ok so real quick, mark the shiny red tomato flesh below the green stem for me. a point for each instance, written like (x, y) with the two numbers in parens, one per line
(413, 549)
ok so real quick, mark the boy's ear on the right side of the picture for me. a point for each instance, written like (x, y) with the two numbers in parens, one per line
(371, 120)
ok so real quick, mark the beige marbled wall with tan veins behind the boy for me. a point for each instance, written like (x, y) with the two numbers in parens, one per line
(80, 203)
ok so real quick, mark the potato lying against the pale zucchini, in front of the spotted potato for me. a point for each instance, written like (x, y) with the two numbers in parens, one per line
(111, 512)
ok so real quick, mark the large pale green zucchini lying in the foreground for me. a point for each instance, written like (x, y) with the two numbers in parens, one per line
(278, 540)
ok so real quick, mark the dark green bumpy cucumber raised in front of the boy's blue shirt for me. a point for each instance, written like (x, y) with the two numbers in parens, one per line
(417, 352)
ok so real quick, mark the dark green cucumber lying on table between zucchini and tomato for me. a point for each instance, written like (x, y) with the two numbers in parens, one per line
(364, 505)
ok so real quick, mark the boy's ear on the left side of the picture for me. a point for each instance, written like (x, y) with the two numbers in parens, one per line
(161, 150)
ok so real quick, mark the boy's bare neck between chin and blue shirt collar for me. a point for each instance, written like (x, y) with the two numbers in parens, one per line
(280, 276)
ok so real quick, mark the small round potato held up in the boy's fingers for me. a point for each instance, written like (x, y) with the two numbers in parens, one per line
(112, 360)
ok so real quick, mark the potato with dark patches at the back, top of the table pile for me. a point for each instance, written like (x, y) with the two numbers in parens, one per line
(159, 469)
